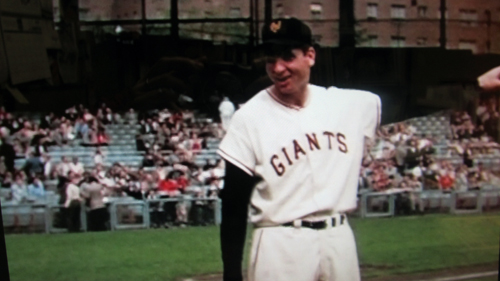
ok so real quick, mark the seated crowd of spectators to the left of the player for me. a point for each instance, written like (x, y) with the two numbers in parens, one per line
(170, 142)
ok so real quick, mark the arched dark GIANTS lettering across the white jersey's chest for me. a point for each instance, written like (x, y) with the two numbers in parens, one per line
(289, 156)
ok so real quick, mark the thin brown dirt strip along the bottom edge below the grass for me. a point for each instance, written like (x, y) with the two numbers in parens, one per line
(406, 277)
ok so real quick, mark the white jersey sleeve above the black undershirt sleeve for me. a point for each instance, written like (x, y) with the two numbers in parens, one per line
(236, 146)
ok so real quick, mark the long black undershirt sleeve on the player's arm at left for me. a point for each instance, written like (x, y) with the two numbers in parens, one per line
(235, 196)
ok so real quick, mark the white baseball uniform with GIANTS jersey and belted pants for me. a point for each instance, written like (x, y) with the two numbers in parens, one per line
(309, 160)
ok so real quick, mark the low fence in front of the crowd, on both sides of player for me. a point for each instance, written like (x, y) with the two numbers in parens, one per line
(127, 213)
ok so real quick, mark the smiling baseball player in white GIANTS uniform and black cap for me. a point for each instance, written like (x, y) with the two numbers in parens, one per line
(294, 152)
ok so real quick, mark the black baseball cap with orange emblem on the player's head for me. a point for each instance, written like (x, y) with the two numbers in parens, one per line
(290, 32)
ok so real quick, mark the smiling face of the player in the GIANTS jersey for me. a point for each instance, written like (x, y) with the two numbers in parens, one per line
(290, 71)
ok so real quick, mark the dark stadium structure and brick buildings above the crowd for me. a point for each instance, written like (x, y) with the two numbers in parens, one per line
(416, 54)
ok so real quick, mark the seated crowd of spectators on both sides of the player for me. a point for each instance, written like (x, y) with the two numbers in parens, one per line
(401, 159)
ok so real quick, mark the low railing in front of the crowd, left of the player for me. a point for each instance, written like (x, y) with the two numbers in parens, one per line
(123, 213)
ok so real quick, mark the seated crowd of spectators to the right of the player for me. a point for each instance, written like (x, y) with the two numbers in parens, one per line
(402, 159)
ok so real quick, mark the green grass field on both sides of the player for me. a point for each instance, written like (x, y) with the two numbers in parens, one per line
(386, 246)
